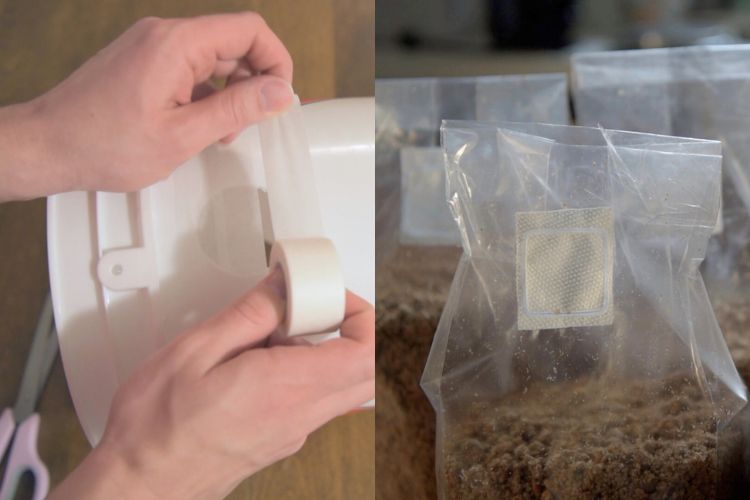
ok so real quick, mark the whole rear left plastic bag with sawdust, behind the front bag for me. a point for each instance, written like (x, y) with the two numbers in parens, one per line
(418, 246)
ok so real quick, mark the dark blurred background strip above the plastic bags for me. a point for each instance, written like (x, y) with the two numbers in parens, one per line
(472, 37)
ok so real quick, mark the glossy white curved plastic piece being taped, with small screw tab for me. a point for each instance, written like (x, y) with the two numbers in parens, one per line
(197, 225)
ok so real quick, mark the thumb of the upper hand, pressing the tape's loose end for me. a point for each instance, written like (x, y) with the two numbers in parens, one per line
(233, 108)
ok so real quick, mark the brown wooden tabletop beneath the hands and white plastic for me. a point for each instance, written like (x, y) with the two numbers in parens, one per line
(332, 44)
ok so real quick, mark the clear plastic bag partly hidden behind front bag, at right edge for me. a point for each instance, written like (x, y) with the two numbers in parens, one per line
(693, 92)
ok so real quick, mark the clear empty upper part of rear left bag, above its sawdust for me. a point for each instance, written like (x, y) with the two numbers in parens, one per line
(409, 112)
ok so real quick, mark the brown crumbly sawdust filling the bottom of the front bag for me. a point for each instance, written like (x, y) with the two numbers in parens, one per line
(581, 439)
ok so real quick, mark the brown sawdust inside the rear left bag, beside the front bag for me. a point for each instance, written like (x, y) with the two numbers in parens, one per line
(411, 292)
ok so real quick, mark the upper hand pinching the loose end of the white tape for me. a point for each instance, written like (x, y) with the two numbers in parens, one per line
(144, 105)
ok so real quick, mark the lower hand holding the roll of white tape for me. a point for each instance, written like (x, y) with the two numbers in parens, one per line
(215, 406)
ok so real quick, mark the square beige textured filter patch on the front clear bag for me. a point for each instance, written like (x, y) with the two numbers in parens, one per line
(564, 268)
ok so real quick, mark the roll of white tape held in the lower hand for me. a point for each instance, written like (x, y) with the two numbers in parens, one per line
(315, 292)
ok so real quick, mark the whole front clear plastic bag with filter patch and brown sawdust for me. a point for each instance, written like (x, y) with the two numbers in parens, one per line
(578, 355)
